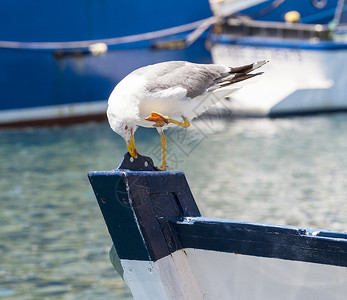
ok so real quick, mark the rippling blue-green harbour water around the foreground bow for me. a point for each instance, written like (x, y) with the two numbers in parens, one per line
(53, 240)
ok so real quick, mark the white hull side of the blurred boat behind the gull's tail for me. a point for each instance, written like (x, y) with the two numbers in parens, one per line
(294, 81)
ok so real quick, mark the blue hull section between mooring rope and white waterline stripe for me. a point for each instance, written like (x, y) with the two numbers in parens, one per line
(38, 78)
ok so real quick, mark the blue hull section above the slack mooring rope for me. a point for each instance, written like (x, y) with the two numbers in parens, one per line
(76, 20)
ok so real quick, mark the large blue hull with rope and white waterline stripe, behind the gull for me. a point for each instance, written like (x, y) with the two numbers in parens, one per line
(49, 71)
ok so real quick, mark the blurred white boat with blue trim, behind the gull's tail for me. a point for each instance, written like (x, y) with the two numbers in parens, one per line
(307, 72)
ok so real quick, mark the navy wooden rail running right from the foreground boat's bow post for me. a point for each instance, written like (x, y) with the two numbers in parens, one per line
(264, 240)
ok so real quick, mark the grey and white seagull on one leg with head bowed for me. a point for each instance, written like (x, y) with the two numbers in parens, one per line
(170, 94)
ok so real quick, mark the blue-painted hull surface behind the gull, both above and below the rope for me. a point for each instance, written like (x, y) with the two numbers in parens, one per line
(33, 78)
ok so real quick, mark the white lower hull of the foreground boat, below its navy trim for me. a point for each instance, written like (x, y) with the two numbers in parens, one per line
(210, 275)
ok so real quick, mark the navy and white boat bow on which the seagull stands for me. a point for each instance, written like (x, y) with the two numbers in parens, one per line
(164, 249)
